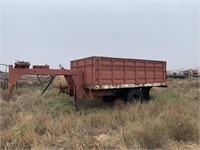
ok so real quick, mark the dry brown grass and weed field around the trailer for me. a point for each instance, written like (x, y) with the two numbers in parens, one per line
(169, 121)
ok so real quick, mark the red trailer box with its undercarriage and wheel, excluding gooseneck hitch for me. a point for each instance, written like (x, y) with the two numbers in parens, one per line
(130, 79)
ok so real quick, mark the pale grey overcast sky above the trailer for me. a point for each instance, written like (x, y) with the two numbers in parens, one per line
(56, 31)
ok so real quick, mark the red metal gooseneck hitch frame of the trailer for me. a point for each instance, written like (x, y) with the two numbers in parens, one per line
(73, 77)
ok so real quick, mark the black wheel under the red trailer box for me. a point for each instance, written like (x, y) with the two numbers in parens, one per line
(134, 96)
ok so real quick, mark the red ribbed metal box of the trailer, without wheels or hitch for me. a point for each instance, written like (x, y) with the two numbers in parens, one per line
(102, 71)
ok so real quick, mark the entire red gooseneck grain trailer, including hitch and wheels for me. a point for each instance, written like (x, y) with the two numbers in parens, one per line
(92, 77)
